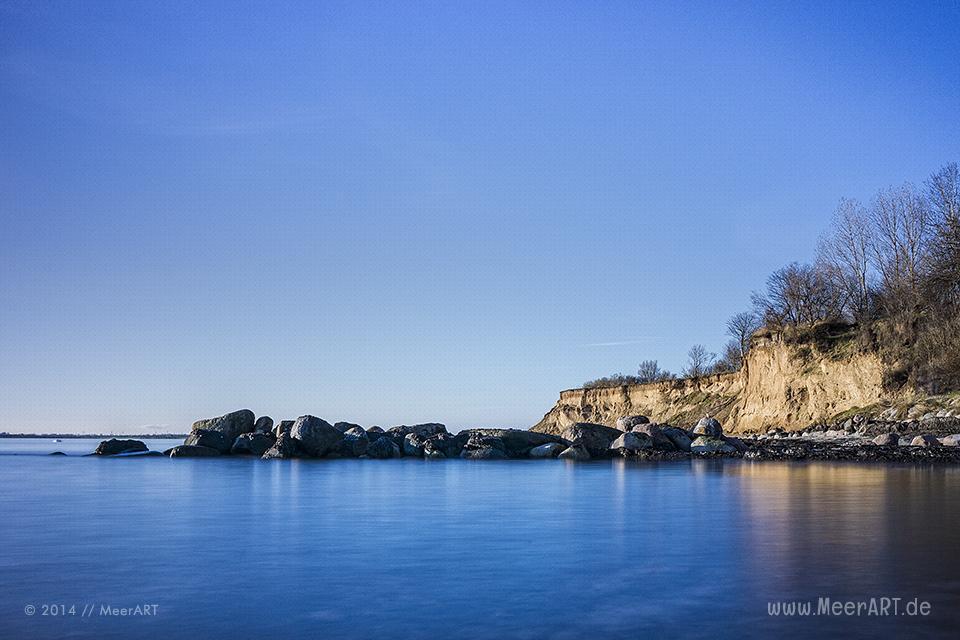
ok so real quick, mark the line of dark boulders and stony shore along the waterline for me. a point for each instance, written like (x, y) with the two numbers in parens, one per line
(635, 437)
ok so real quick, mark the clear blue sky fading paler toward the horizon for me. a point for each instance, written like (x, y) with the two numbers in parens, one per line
(393, 213)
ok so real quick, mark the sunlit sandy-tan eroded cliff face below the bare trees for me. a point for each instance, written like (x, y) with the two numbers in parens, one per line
(780, 385)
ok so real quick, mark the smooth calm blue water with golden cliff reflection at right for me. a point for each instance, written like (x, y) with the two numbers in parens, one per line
(239, 548)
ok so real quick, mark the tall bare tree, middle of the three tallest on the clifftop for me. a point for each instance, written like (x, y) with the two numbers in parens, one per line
(903, 226)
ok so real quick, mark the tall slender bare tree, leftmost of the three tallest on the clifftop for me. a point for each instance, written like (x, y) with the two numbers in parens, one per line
(845, 254)
